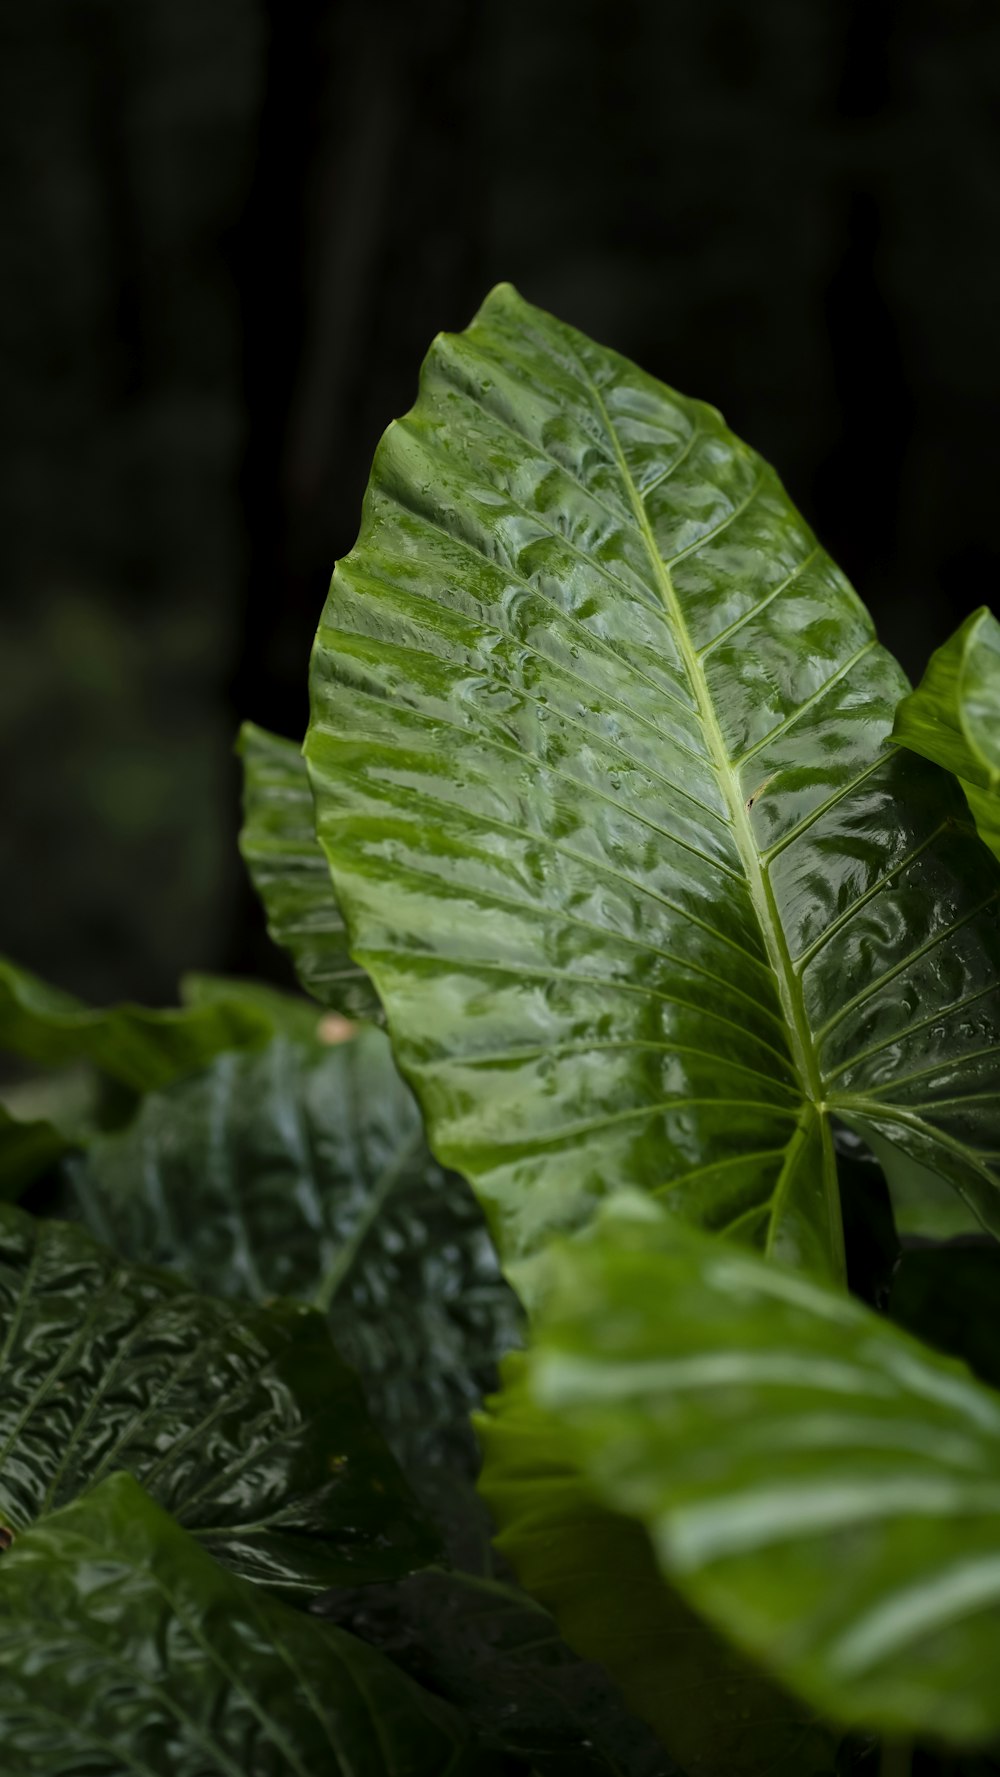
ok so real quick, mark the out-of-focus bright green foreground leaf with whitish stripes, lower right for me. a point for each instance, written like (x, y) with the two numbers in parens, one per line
(818, 1485)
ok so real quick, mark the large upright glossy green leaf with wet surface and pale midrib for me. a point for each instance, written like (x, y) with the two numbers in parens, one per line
(599, 754)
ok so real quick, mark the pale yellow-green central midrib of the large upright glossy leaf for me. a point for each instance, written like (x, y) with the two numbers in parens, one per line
(758, 881)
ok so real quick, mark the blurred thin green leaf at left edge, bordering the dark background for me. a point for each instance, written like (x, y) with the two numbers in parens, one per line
(131, 1044)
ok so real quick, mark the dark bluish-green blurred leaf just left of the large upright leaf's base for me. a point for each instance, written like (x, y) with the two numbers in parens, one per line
(306, 1174)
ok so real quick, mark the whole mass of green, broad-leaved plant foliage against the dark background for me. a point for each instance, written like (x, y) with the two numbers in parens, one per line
(674, 937)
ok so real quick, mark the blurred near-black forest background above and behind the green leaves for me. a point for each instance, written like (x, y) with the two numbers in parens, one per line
(228, 234)
